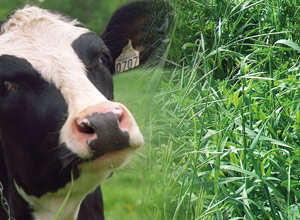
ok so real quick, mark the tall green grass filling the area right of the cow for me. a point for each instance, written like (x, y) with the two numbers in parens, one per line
(224, 123)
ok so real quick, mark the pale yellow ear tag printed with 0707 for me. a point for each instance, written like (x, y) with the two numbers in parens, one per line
(128, 59)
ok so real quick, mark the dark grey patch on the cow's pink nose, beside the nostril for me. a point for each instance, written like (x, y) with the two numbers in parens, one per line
(109, 135)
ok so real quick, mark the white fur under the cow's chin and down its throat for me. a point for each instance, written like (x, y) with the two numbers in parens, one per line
(46, 207)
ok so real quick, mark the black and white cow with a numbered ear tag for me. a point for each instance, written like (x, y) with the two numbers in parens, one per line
(60, 130)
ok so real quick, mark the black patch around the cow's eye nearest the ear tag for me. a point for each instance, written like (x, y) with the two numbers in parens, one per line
(96, 58)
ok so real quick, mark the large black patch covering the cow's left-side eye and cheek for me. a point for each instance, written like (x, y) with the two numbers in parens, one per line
(31, 117)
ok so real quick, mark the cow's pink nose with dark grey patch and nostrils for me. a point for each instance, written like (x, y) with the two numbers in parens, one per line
(104, 127)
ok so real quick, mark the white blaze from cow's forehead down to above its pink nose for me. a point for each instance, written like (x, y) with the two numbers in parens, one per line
(45, 40)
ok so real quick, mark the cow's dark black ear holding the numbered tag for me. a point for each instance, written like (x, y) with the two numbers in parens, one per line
(142, 24)
